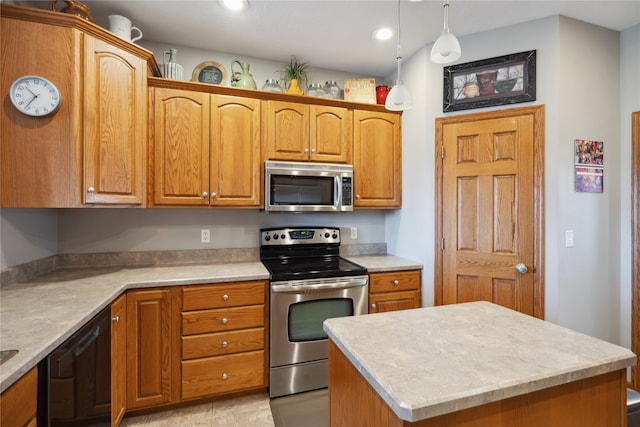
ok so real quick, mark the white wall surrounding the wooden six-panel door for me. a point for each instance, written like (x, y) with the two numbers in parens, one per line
(578, 81)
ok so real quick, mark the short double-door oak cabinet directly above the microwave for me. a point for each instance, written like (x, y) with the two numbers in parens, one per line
(301, 132)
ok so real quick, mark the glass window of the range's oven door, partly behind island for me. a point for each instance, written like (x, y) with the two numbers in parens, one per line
(305, 318)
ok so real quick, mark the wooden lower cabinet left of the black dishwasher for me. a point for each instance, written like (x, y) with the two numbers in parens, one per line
(19, 403)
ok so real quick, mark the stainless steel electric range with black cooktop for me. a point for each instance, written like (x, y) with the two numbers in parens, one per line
(310, 282)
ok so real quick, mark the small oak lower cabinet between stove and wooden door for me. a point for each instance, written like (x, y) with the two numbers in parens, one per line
(397, 290)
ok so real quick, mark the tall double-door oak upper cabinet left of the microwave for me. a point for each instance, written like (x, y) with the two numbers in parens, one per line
(206, 149)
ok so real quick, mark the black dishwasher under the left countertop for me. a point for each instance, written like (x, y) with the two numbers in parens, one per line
(75, 379)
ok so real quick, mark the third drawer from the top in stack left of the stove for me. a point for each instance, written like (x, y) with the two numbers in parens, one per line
(222, 343)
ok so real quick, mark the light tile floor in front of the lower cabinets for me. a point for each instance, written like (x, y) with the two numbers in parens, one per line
(246, 411)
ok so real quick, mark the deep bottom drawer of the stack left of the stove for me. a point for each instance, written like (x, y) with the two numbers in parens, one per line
(223, 374)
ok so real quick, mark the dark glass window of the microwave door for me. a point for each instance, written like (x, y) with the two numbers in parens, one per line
(301, 190)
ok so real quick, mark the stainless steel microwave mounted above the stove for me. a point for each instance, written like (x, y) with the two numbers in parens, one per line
(308, 187)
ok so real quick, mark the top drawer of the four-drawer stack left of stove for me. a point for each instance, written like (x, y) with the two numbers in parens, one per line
(223, 295)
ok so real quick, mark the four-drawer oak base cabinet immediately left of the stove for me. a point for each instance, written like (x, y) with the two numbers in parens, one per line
(223, 338)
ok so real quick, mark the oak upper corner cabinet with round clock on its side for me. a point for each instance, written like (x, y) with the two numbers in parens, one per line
(97, 137)
